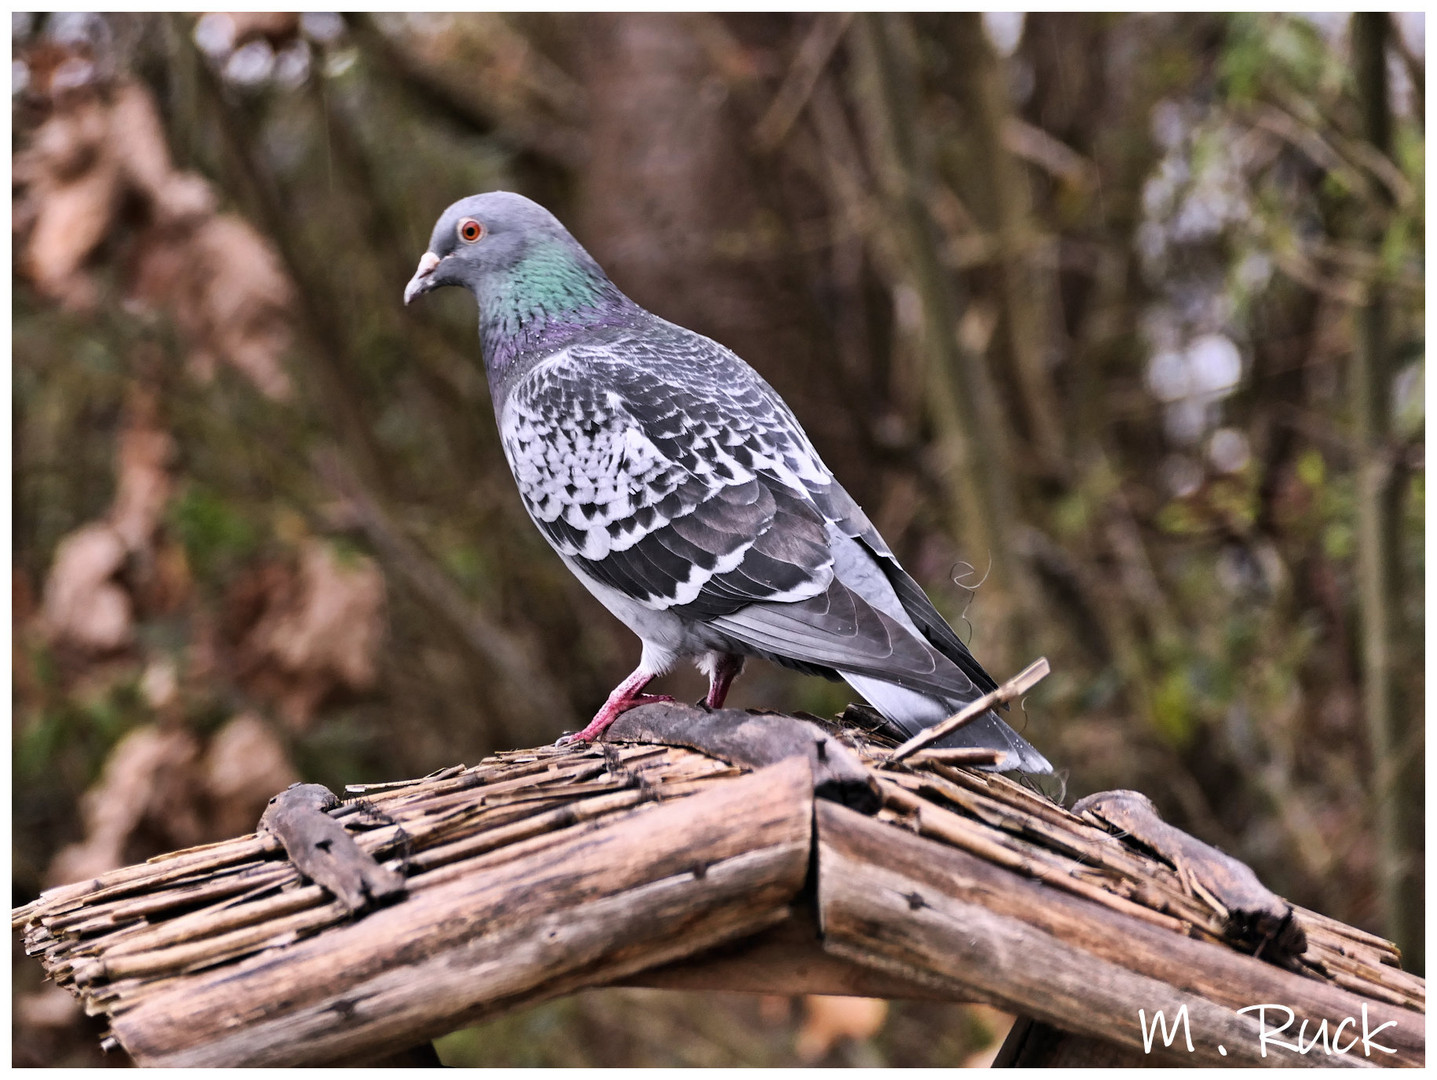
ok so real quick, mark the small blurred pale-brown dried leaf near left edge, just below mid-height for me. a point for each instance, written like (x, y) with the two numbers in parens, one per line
(83, 605)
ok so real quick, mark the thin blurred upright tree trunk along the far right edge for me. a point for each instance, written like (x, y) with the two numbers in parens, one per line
(1397, 781)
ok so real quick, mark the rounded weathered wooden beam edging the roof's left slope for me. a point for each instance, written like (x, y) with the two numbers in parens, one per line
(660, 883)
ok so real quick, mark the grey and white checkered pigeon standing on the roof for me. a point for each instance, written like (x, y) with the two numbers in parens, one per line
(680, 489)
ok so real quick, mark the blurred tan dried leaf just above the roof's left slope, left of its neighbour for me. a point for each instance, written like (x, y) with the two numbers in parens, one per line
(144, 804)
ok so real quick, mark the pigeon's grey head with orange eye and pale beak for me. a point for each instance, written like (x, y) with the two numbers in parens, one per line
(486, 239)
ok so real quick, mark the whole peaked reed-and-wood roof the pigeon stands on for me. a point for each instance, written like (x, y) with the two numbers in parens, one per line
(731, 851)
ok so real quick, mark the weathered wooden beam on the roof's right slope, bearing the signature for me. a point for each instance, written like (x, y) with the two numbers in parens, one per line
(939, 916)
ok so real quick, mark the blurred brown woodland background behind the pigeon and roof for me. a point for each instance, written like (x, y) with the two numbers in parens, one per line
(1113, 324)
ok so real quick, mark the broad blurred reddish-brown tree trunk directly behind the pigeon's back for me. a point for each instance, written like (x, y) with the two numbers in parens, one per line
(683, 216)
